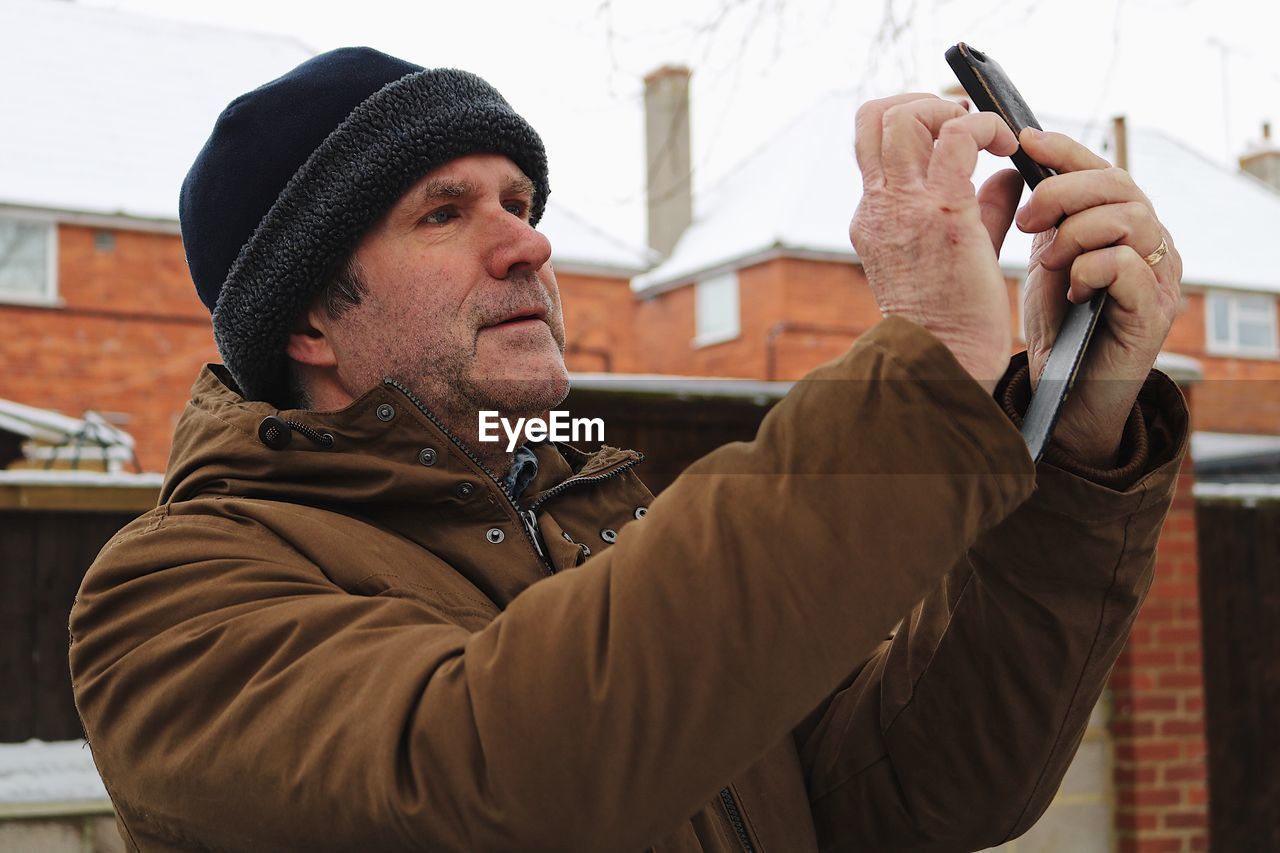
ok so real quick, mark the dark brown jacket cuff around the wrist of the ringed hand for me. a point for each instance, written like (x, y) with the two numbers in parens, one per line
(1155, 435)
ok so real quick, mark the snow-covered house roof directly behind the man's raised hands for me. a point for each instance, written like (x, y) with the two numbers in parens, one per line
(799, 191)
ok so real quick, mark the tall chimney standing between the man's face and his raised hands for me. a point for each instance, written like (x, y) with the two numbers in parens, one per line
(668, 157)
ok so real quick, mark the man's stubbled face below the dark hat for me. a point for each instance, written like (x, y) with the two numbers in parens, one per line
(461, 300)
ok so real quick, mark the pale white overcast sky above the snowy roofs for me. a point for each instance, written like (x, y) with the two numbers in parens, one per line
(1206, 72)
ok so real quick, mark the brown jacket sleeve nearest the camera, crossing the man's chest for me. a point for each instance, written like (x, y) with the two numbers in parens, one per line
(241, 700)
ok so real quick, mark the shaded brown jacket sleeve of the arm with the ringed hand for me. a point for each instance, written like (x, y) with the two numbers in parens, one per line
(957, 733)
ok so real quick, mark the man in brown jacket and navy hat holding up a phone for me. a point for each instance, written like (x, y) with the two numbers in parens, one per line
(353, 626)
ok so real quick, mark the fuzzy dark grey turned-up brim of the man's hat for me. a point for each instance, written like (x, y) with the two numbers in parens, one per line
(391, 140)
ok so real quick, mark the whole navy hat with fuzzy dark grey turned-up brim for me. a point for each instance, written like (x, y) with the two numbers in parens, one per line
(299, 170)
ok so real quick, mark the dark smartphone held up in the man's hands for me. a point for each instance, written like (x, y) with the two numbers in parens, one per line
(991, 92)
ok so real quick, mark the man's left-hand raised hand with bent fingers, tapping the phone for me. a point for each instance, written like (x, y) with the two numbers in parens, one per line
(927, 241)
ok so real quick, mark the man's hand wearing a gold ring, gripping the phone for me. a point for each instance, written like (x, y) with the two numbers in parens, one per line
(1109, 240)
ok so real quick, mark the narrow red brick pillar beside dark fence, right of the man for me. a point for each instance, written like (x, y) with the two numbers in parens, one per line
(1158, 724)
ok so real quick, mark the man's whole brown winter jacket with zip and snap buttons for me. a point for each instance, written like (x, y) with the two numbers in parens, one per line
(358, 647)
